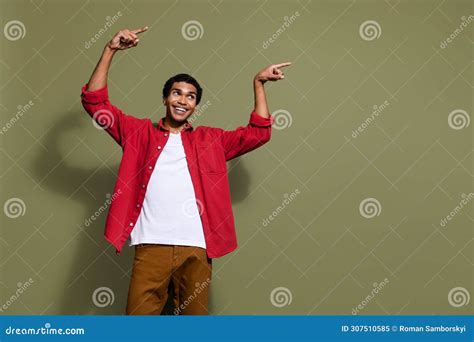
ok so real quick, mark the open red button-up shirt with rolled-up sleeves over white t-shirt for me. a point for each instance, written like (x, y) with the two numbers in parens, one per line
(207, 150)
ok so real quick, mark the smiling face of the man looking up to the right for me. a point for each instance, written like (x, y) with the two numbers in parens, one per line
(181, 101)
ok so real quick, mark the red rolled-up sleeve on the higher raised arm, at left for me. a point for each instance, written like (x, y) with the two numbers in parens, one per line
(113, 120)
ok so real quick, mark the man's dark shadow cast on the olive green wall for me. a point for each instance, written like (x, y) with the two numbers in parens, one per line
(95, 266)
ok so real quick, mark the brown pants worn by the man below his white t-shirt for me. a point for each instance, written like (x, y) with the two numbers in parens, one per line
(156, 267)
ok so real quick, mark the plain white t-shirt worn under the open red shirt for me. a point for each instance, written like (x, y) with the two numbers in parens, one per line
(169, 214)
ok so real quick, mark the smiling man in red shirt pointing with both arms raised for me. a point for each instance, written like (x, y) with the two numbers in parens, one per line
(172, 195)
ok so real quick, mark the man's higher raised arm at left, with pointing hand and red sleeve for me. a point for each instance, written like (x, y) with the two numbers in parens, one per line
(94, 95)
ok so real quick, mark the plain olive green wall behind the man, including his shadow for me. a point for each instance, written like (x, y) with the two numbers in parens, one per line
(319, 247)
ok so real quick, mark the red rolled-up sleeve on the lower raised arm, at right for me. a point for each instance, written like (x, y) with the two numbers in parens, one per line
(247, 138)
